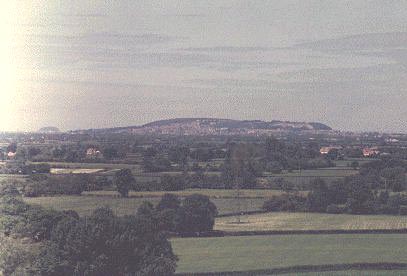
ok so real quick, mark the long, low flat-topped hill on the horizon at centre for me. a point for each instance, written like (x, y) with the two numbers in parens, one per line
(215, 126)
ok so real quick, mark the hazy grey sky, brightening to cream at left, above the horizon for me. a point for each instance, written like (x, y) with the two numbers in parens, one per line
(88, 64)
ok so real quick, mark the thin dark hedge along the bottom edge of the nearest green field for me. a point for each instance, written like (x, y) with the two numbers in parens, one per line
(305, 268)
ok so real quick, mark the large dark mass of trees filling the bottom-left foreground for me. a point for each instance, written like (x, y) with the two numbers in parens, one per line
(64, 244)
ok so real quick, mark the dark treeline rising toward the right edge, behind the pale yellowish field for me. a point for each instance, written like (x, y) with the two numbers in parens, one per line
(375, 190)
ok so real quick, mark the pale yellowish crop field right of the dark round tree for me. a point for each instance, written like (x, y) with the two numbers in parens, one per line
(310, 221)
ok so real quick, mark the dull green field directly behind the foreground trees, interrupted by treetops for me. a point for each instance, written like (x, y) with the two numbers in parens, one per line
(84, 205)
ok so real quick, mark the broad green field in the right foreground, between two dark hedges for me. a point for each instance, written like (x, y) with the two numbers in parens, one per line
(276, 251)
